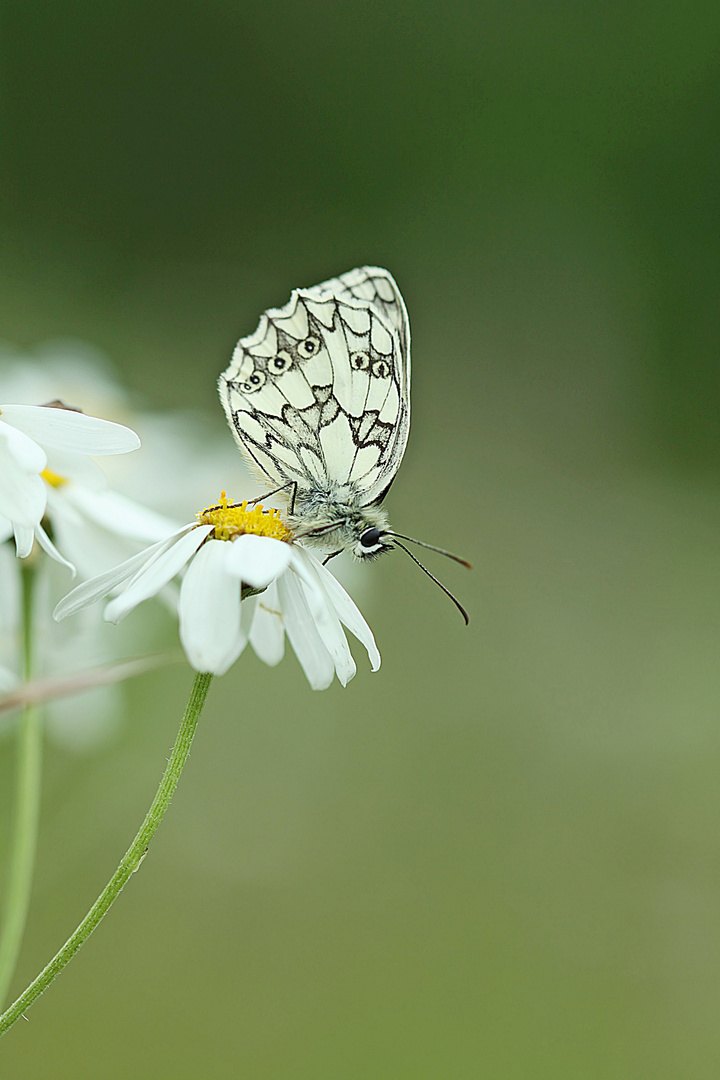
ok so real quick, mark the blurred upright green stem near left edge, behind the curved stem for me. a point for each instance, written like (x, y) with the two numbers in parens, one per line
(26, 811)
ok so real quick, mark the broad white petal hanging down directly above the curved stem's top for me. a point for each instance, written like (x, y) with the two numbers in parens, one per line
(210, 612)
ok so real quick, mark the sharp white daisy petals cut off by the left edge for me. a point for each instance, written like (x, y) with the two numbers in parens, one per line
(45, 448)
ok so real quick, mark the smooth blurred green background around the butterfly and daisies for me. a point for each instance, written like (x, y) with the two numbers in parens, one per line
(500, 856)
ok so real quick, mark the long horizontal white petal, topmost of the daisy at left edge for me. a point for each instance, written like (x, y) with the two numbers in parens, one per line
(71, 431)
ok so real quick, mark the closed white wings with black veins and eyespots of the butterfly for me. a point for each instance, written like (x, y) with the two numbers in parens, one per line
(320, 394)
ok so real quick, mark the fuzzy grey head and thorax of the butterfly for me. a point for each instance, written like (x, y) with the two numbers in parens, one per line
(333, 518)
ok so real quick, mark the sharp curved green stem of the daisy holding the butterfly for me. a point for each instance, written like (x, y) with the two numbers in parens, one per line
(130, 862)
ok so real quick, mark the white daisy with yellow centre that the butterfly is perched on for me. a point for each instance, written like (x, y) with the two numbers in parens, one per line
(229, 553)
